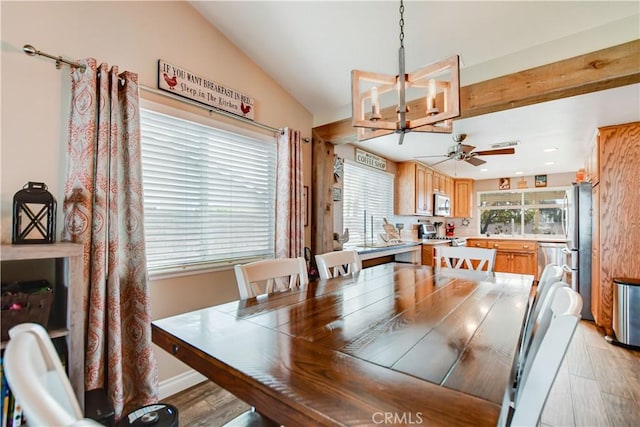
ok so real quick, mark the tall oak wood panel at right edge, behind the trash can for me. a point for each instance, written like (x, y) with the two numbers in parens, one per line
(619, 211)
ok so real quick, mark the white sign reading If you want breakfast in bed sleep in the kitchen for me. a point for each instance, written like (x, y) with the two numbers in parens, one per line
(179, 81)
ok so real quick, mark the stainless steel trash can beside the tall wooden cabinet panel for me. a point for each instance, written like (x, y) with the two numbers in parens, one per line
(626, 310)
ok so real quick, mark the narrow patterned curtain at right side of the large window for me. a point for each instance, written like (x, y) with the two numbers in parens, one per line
(289, 221)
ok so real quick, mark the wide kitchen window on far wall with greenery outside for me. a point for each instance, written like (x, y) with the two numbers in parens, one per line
(530, 211)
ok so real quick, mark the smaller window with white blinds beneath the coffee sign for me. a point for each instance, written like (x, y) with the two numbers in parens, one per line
(366, 192)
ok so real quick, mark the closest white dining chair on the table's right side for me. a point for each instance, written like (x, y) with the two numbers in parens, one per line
(523, 405)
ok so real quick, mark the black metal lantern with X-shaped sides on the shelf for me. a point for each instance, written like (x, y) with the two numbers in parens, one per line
(34, 215)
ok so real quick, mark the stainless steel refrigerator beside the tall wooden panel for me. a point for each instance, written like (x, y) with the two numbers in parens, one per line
(579, 243)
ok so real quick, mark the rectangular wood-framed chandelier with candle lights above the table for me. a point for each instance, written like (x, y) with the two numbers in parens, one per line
(379, 99)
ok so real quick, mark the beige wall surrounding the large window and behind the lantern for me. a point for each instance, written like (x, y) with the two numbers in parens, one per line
(132, 35)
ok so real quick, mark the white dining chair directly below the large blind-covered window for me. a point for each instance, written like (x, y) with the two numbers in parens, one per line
(267, 276)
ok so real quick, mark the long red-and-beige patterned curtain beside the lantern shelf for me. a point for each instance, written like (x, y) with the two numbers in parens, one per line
(103, 210)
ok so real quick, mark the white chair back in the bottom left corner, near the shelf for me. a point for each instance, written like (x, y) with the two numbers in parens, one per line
(38, 380)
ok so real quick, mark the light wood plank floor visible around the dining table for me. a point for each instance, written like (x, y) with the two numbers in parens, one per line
(598, 386)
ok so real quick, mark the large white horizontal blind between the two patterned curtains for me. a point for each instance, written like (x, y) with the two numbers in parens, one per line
(208, 194)
